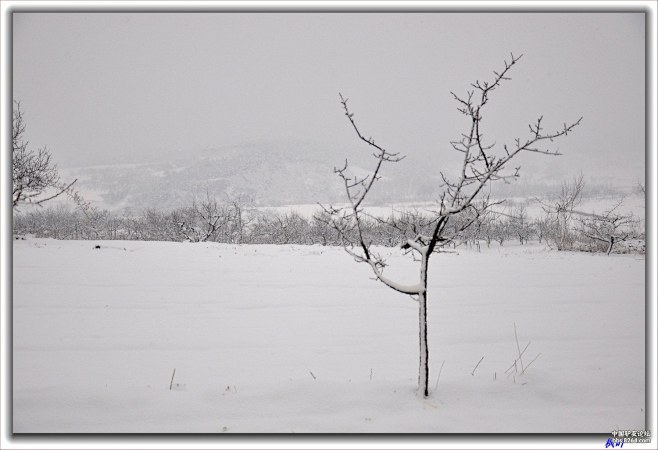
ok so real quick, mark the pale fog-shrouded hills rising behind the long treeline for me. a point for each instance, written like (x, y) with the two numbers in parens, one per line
(285, 173)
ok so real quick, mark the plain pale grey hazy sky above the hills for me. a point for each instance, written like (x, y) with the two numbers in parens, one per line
(103, 88)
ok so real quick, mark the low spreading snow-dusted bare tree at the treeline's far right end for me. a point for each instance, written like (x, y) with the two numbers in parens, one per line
(610, 227)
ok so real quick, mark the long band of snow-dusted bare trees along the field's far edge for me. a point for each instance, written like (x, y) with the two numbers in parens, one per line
(236, 222)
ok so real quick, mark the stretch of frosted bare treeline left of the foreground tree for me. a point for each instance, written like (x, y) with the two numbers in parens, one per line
(233, 221)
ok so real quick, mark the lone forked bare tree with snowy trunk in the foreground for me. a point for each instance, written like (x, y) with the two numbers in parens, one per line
(482, 163)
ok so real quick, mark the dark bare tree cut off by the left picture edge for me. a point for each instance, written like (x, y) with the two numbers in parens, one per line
(33, 172)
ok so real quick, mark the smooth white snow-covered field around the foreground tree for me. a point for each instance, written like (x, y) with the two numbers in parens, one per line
(289, 339)
